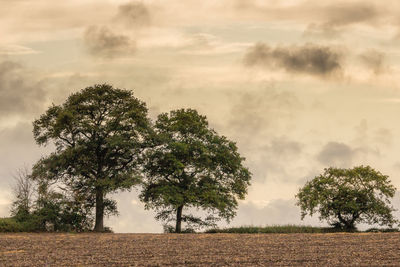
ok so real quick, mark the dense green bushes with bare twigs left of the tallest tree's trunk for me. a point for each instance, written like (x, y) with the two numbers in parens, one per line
(38, 207)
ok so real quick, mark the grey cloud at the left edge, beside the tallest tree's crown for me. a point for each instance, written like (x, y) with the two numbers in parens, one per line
(20, 93)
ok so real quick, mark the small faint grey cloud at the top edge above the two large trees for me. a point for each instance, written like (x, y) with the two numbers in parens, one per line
(134, 14)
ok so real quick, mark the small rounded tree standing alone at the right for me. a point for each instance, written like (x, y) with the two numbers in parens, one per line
(345, 197)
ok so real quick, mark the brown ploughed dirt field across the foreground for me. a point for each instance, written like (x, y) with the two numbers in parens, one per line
(372, 249)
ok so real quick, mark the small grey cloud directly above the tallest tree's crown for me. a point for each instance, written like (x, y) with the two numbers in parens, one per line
(103, 42)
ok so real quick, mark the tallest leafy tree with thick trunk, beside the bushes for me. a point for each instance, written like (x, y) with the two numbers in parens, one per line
(99, 134)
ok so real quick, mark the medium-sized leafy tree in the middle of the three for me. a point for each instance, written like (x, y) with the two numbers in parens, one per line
(191, 166)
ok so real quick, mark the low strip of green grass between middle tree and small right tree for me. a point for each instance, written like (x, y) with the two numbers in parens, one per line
(274, 229)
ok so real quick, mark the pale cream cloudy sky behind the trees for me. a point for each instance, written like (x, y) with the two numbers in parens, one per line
(298, 85)
